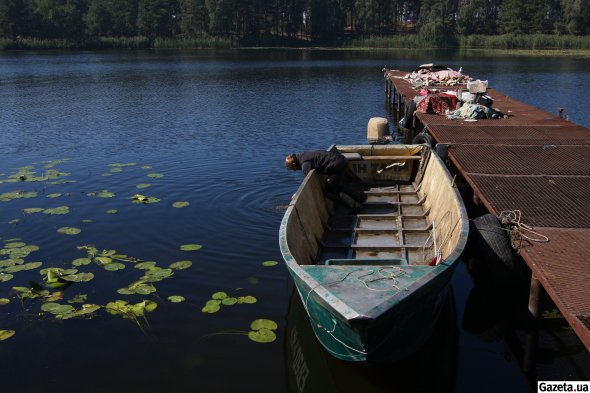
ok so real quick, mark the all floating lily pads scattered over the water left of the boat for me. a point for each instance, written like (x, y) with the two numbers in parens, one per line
(56, 290)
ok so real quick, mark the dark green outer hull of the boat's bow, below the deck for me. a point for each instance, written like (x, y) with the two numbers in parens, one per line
(392, 336)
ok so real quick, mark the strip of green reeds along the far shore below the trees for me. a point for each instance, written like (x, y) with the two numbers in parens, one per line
(529, 45)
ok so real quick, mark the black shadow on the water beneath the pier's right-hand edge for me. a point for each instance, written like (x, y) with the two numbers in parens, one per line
(496, 312)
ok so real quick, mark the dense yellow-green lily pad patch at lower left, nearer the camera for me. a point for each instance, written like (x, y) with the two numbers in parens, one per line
(55, 281)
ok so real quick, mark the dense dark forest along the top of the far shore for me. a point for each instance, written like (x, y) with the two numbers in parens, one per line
(319, 20)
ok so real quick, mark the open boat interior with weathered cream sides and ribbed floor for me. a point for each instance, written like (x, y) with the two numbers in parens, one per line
(408, 217)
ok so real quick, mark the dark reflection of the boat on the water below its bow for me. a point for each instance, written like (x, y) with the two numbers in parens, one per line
(310, 368)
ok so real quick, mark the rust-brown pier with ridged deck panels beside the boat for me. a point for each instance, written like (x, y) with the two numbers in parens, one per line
(535, 162)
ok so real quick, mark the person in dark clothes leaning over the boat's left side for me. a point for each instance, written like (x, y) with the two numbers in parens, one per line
(332, 164)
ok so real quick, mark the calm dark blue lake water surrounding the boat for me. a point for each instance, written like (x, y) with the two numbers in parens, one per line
(210, 129)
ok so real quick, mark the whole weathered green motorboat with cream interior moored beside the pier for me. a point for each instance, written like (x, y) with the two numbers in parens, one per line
(373, 278)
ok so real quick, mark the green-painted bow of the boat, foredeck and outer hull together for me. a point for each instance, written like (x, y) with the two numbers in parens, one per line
(390, 331)
